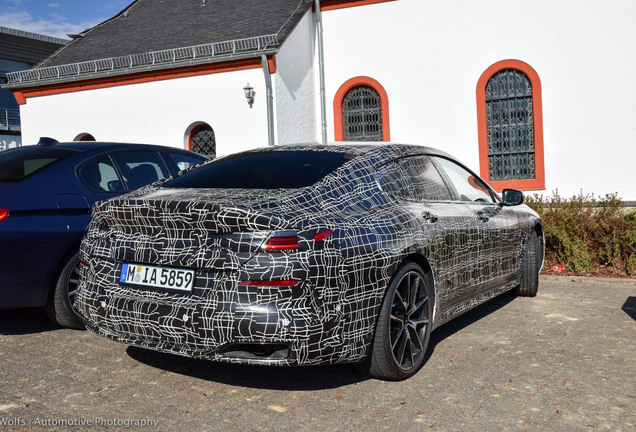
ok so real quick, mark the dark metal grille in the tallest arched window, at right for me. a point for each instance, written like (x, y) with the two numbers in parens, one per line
(510, 126)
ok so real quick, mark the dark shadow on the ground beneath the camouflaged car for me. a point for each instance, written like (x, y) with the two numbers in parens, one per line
(296, 378)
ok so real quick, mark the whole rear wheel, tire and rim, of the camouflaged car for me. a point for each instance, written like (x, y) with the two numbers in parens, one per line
(404, 325)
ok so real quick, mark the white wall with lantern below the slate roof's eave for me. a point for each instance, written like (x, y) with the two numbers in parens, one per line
(158, 112)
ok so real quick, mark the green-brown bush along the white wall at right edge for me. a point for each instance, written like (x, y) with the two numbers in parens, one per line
(586, 235)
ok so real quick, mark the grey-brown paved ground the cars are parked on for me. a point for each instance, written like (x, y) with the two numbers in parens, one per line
(563, 361)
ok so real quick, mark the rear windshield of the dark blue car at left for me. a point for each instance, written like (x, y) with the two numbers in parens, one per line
(19, 163)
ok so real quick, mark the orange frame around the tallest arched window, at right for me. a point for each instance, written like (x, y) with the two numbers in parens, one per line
(538, 183)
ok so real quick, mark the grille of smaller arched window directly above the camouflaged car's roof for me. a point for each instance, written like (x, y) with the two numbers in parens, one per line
(362, 115)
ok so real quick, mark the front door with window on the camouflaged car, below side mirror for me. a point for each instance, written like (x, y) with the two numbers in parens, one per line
(499, 241)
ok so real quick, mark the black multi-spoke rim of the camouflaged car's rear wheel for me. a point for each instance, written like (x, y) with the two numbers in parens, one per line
(409, 321)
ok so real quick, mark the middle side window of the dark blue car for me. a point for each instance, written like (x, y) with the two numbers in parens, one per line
(140, 168)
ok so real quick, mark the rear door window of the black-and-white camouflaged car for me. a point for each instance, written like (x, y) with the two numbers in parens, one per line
(424, 180)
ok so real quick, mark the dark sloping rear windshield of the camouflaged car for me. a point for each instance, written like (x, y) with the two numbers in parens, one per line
(263, 170)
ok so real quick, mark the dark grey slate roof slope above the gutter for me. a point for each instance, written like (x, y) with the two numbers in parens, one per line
(154, 25)
